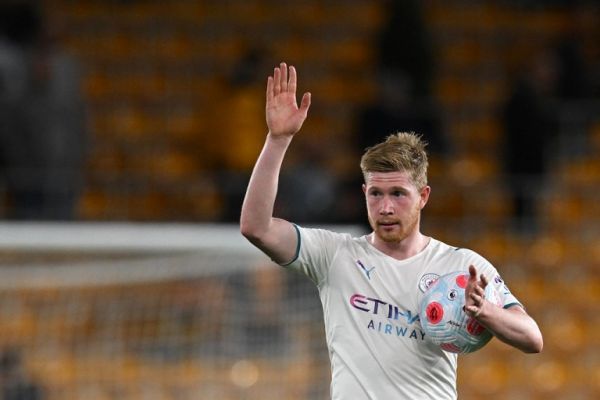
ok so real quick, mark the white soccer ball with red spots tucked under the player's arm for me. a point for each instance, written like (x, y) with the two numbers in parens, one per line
(444, 320)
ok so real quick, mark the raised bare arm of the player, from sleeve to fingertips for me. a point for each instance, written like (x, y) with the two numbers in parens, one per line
(275, 237)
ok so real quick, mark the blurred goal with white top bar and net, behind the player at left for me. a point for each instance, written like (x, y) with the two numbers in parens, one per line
(154, 311)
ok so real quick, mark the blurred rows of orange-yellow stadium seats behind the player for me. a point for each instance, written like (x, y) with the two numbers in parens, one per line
(155, 73)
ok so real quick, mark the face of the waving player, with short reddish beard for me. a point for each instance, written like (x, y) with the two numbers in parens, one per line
(394, 204)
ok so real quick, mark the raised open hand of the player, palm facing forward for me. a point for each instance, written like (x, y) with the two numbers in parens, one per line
(284, 117)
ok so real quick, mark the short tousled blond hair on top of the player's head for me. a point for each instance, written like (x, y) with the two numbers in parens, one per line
(402, 151)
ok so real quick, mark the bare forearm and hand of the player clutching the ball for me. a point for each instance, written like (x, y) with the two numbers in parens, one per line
(512, 325)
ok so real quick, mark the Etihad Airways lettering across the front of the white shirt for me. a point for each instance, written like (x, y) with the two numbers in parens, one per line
(397, 322)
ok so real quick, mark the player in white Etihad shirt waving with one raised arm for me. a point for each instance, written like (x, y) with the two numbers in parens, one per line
(370, 286)
